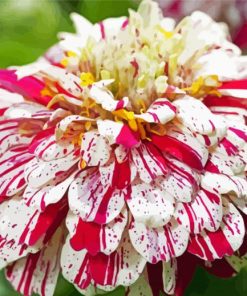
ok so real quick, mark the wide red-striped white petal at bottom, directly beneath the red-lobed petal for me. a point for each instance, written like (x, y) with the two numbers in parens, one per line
(122, 267)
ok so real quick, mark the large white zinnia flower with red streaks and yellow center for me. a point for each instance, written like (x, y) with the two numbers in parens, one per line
(123, 157)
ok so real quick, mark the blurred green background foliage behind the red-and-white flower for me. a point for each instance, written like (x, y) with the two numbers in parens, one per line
(27, 29)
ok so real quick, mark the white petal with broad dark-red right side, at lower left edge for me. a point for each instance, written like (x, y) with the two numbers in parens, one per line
(29, 228)
